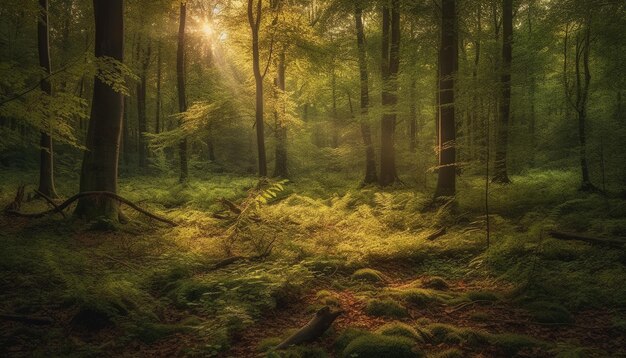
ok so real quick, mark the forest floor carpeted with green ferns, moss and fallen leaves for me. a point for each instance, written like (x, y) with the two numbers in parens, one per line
(145, 289)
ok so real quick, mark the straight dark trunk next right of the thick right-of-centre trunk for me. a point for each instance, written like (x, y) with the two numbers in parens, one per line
(500, 169)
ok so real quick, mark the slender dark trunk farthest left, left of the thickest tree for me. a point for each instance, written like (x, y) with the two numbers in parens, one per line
(46, 162)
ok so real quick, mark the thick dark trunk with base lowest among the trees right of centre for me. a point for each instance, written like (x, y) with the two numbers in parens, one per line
(446, 180)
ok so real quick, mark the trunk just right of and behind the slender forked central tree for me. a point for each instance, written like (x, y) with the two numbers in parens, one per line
(280, 169)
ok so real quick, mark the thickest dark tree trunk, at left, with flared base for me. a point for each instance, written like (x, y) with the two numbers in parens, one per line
(100, 163)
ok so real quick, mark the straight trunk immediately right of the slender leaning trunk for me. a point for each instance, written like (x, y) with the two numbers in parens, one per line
(390, 67)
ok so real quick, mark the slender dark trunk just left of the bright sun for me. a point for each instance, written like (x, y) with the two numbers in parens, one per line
(182, 97)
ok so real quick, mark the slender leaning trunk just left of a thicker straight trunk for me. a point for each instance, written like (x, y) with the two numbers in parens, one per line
(370, 157)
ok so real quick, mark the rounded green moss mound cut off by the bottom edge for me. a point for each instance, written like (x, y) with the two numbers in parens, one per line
(377, 346)
